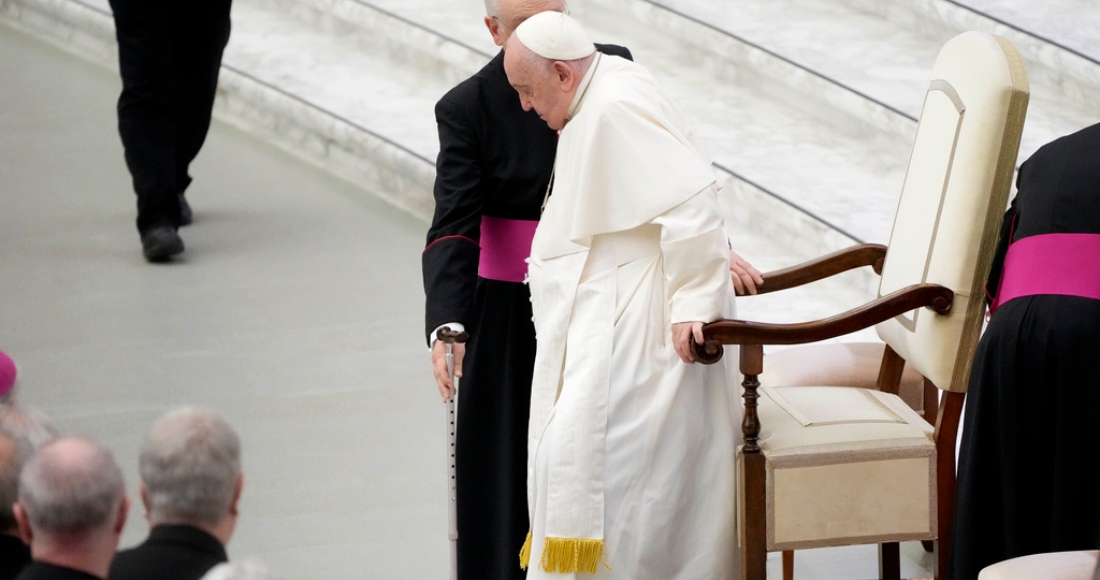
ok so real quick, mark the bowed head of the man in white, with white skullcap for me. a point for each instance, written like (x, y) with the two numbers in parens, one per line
(545, 61)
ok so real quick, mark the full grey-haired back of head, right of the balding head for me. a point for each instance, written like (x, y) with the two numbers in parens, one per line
(190, 464)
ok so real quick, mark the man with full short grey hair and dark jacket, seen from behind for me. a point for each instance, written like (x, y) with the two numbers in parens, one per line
(191, 485)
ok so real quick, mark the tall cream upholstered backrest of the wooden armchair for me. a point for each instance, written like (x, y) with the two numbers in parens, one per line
(955, 192)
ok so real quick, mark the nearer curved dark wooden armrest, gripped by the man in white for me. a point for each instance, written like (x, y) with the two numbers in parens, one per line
(934, 297)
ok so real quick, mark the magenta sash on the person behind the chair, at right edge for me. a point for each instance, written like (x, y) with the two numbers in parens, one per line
(1066, 265)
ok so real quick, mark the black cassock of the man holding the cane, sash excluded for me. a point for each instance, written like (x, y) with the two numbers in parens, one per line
(494, 161)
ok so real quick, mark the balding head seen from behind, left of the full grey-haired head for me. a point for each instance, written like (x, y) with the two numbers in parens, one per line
(70, 488)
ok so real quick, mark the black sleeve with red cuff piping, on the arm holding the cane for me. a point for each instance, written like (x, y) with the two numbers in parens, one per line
(450, 257)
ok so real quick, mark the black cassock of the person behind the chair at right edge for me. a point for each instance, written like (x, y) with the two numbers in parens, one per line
(1028, 479)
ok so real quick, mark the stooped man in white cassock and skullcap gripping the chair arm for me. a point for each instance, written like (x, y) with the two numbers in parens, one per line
(631, 446)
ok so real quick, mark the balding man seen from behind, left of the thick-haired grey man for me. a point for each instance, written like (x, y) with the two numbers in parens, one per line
(72, 509)
